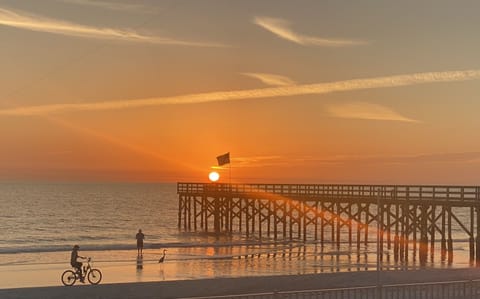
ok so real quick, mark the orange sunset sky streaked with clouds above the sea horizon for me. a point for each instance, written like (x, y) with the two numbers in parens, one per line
(347, 92)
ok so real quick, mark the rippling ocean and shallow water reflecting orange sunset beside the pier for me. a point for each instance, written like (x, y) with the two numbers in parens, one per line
(40, 222)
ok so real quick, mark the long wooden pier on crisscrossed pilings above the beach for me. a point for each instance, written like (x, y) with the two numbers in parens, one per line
(403, 218)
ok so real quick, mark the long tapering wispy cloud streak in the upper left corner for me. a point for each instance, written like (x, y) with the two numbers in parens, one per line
(32, 22)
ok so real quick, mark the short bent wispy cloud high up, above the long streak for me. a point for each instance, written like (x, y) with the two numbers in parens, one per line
(282, 29)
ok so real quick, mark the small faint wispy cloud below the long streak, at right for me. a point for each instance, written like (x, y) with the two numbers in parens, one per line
(369, 111)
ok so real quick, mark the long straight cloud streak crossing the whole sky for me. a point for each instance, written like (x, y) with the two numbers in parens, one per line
(271, 92)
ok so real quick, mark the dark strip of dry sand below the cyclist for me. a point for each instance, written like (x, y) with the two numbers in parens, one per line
(229, 286)
